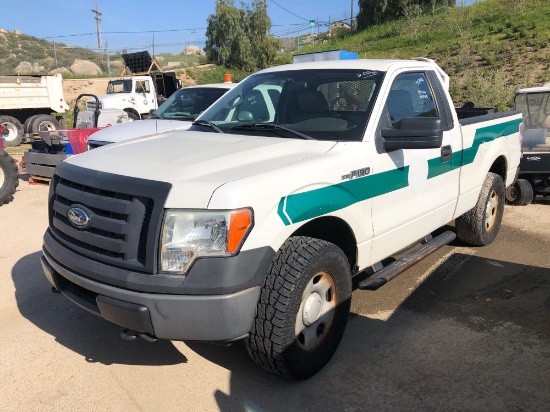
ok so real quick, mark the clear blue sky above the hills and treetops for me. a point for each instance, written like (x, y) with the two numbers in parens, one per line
(158, 26)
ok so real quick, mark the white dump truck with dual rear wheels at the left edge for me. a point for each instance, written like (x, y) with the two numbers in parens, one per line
(27, 104)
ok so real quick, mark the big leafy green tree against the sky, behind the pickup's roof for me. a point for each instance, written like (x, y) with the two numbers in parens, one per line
(238, 37)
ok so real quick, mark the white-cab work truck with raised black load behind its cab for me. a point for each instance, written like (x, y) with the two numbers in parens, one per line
(138, 94)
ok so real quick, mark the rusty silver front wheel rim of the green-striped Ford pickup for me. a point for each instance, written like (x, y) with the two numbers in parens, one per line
(316, 311)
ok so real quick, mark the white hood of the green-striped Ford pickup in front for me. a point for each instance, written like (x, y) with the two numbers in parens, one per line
(197, 163)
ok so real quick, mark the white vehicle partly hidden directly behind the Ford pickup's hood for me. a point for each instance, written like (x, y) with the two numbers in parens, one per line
(177, 113)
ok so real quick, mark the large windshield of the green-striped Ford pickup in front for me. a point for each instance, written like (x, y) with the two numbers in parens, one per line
(325, 104)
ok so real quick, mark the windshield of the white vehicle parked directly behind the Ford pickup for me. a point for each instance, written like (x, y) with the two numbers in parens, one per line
(189, 103)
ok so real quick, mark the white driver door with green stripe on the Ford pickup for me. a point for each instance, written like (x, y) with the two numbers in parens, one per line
(419, 186)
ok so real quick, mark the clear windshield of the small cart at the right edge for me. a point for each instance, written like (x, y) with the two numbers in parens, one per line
(535, 108)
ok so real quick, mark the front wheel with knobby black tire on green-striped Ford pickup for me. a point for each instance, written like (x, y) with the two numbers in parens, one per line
(303, 308)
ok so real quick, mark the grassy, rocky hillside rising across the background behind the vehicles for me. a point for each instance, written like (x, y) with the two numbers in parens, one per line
(489, 49)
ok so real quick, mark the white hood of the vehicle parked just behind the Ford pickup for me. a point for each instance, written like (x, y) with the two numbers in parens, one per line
(138, 128)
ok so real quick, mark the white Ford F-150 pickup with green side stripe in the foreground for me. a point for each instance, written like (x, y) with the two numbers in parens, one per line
(252, 224)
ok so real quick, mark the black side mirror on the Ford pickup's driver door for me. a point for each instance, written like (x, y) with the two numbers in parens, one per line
(414, 133)
